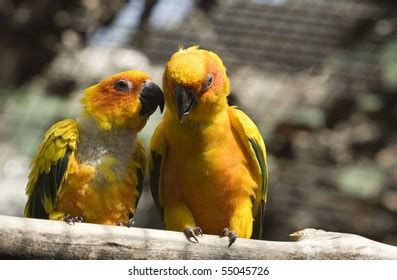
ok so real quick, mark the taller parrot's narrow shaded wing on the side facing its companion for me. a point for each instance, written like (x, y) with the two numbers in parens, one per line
(158, 153)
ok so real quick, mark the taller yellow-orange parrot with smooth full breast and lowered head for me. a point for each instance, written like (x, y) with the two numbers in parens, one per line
(207, 160)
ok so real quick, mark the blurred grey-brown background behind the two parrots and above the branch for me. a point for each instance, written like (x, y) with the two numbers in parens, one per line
(318, 77)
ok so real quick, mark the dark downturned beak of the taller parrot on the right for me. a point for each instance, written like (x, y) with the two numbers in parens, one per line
(185, 100)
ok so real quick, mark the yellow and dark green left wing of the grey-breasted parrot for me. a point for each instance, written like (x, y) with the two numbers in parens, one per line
(49, 167)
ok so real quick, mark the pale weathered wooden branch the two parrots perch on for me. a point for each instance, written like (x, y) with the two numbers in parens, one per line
(42, 239)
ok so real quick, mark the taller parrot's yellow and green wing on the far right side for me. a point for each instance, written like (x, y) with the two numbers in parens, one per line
(254, 144)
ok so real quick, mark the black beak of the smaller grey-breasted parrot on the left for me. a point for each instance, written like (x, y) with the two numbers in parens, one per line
(151, 96)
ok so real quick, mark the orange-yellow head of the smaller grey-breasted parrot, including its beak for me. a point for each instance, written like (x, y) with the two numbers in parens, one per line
(126, 99)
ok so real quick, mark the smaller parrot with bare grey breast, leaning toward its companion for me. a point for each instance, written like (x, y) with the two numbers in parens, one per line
(91, 168)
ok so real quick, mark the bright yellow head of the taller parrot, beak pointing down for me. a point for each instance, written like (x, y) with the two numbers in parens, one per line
(195, 84)
